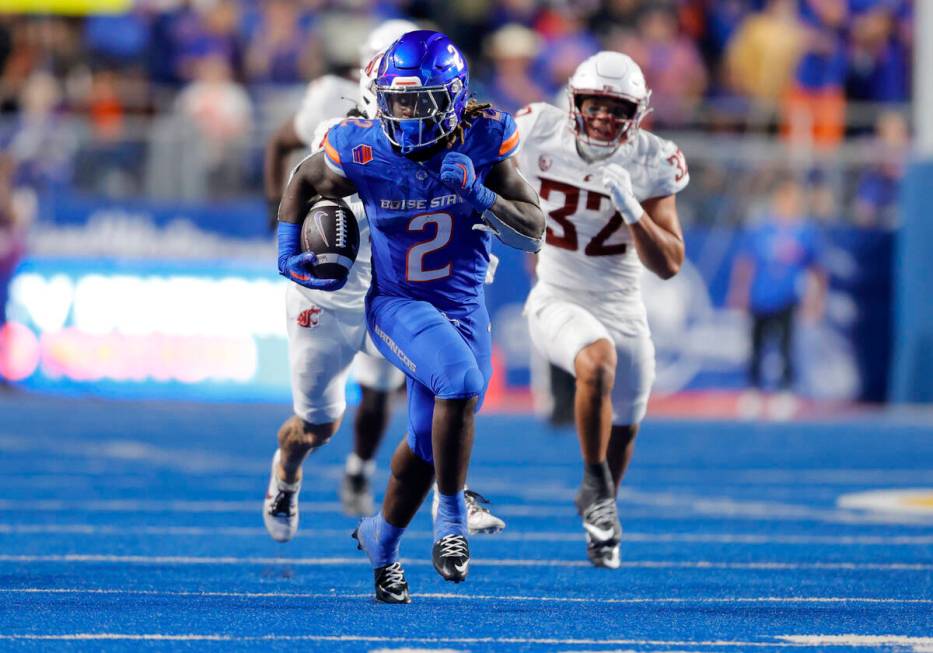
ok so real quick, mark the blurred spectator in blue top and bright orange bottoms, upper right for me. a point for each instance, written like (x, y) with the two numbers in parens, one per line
(816, 105)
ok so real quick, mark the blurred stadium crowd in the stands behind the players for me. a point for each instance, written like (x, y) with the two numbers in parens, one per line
(202, 82)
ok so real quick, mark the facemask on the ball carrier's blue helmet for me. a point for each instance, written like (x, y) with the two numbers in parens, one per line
(415, 116)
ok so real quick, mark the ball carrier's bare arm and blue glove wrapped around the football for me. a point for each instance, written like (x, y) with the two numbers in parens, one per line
(312, 177)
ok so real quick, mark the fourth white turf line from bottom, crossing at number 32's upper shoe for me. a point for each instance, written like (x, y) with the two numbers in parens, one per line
(543, 536)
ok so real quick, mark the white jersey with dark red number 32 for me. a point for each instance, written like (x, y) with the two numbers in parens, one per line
(588, 245)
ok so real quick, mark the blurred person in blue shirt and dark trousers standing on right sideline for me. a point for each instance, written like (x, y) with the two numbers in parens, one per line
(770, 278)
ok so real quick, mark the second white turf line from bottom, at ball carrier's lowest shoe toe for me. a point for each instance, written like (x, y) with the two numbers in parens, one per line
(482, 597)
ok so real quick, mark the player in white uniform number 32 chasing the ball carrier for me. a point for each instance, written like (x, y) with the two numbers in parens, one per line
(608, 189)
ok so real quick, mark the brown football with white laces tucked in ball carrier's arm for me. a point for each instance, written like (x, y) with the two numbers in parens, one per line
(330, 231)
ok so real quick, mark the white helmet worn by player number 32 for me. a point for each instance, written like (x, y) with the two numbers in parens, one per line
(613, 75)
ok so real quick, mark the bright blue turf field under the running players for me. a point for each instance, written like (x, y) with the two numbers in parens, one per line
(135, 524)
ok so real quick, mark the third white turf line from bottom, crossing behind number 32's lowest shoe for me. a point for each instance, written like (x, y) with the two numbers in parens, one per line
(338, 561)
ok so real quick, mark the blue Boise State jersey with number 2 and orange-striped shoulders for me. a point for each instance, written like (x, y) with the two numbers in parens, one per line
(423, 242)
